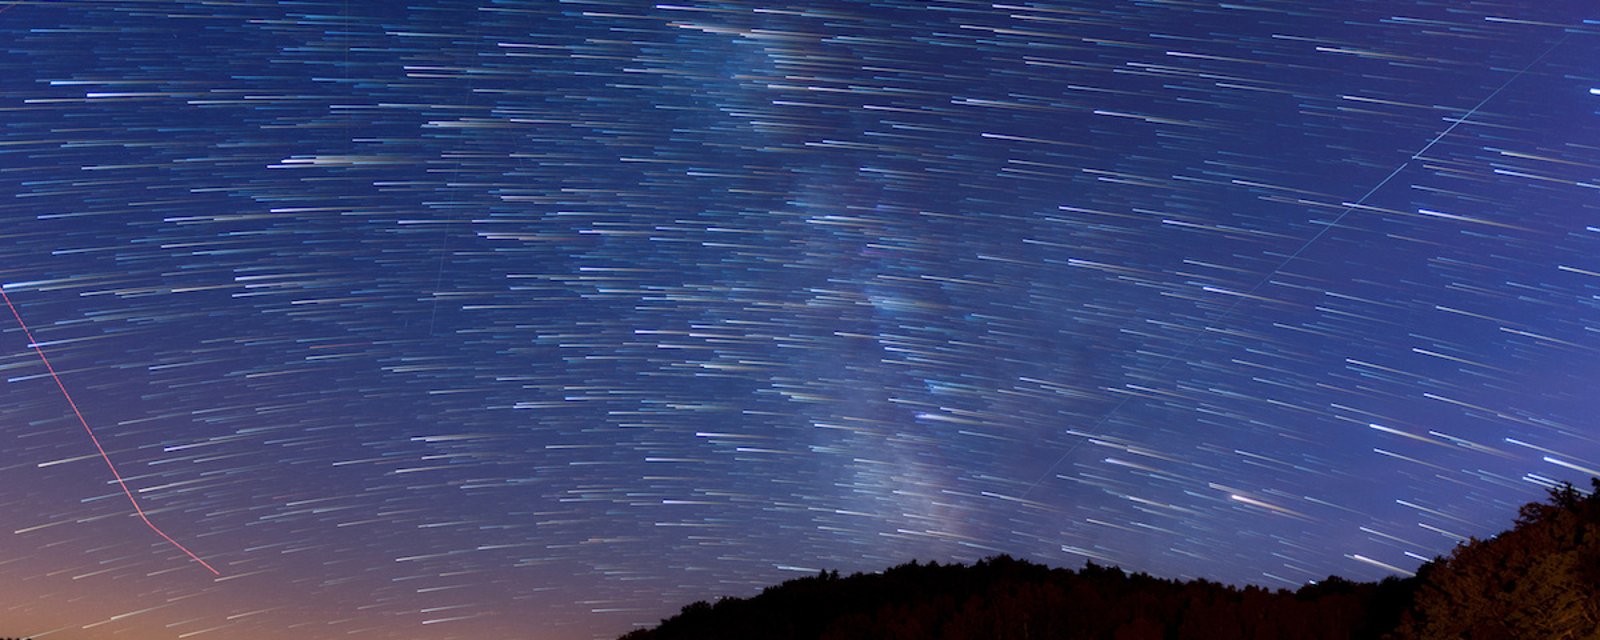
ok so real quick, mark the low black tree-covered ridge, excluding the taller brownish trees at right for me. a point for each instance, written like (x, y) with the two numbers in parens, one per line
(1004, 598)
